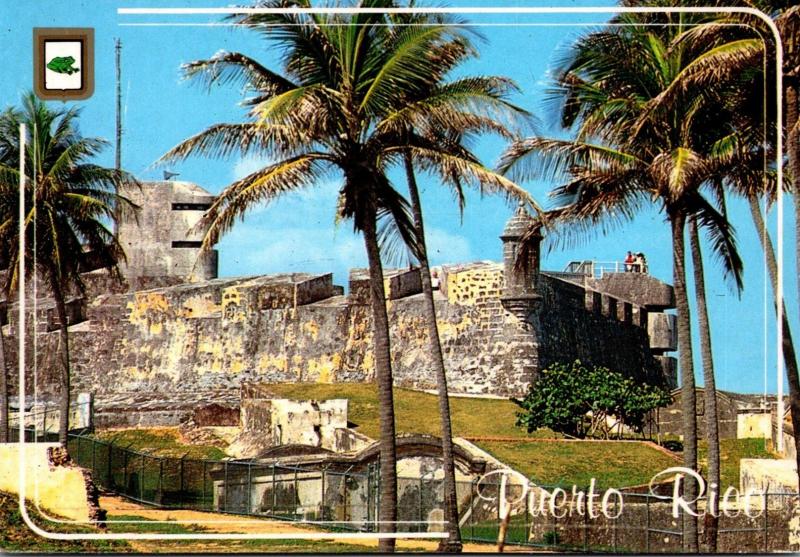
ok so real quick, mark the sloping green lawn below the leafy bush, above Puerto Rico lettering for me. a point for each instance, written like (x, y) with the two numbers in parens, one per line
(611, 463)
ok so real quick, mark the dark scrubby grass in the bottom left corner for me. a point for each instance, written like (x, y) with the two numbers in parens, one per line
(16, 537)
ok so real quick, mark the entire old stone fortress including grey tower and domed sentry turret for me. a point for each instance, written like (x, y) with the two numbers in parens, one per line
(150, 356)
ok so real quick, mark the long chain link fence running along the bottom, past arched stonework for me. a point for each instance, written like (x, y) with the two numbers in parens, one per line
(348, 500)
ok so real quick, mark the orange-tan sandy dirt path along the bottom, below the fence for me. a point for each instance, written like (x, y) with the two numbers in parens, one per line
(223, 523)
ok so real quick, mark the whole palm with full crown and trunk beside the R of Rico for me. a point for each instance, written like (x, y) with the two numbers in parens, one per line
(624, 155)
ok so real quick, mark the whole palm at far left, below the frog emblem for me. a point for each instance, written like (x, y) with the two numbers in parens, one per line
(68, 203)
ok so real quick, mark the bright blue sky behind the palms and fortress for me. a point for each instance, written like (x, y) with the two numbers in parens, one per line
(298, 232)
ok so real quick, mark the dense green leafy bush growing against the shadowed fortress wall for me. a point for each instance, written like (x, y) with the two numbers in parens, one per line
(577, 400)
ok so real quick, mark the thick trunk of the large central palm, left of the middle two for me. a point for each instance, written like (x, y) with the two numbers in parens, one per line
(387, 514)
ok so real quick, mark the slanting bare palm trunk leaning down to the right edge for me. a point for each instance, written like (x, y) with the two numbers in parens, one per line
(789, 355)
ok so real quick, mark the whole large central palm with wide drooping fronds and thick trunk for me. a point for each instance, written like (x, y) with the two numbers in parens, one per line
(334, 108)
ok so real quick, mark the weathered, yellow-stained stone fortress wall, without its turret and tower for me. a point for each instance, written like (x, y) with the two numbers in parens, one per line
(171, 348)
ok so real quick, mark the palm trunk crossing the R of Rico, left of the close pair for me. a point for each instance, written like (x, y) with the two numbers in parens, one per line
(688, 394)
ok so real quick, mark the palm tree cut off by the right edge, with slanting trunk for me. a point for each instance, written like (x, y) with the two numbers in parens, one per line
(733, 45)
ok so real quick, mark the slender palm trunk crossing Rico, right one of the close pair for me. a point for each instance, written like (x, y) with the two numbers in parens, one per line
(711, 520)
